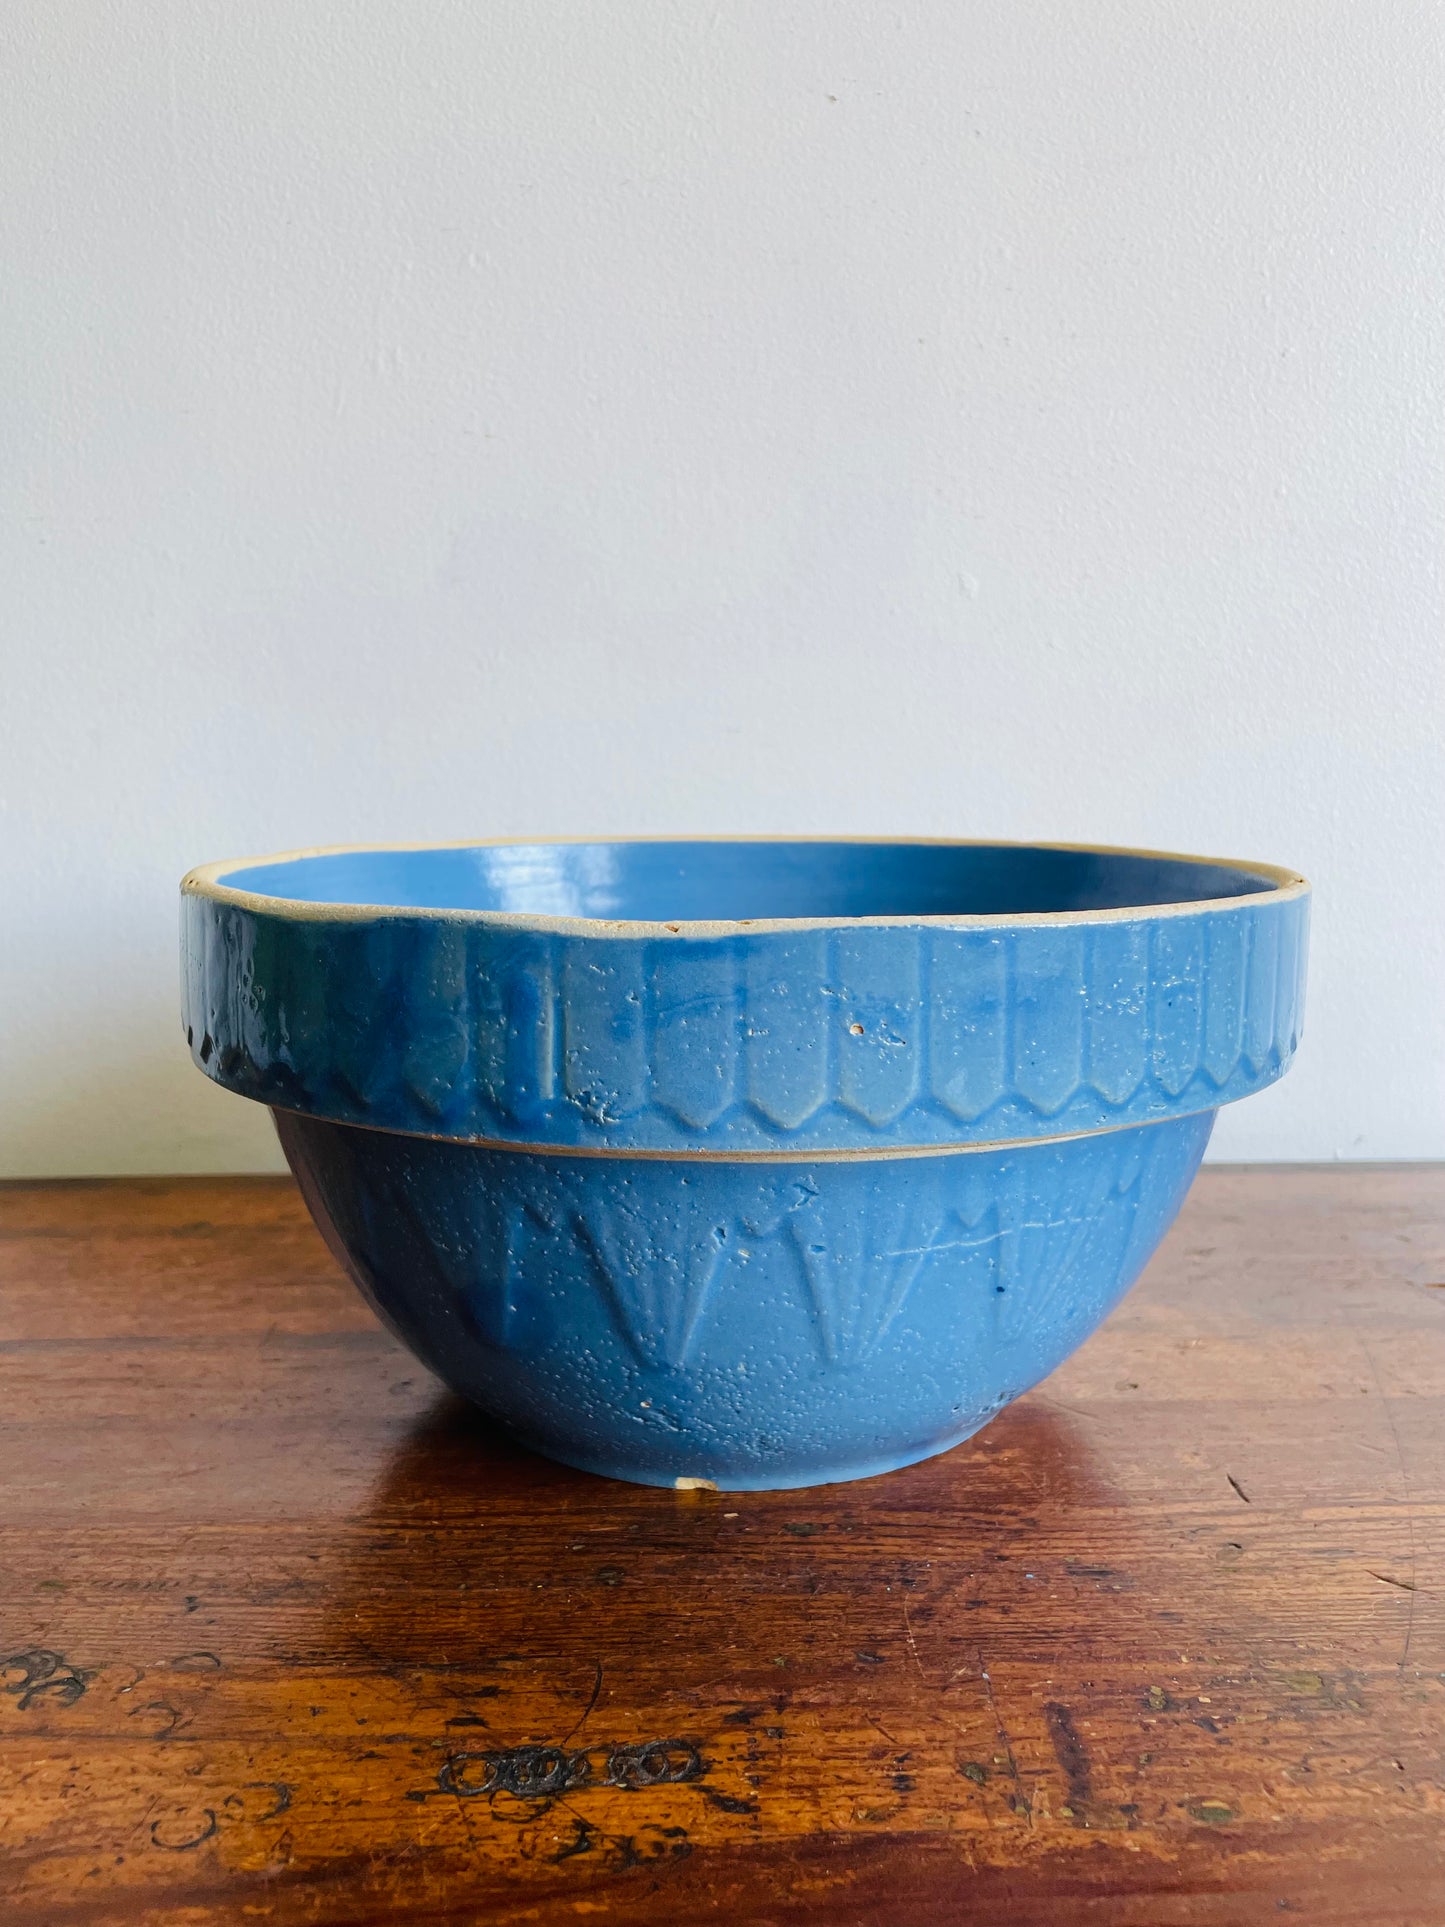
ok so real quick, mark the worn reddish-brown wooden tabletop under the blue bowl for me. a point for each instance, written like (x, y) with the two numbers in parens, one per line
(290, 1635)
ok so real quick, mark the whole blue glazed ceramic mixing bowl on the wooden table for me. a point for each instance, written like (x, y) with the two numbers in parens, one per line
(743, 1163)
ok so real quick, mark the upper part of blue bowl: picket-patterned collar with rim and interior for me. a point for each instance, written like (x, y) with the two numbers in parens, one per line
(939, 995)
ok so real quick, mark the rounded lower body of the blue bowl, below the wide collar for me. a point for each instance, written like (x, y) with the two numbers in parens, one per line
(756, 1325)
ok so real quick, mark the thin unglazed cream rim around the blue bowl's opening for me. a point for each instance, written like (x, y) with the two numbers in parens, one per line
(209, 882)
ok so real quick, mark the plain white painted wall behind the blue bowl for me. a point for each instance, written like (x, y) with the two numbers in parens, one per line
(504, 415)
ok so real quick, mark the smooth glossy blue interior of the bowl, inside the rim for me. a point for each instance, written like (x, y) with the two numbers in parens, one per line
(747, 882)
